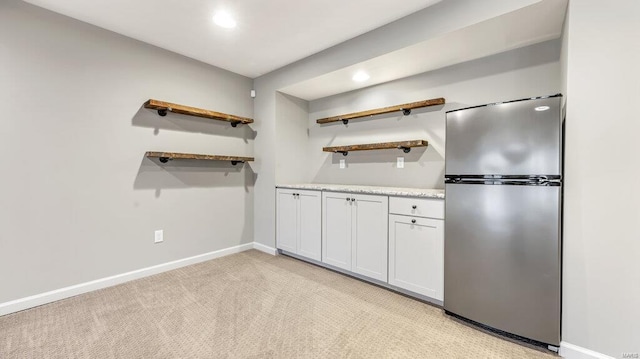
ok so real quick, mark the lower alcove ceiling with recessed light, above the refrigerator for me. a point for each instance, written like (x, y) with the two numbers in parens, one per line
(531, 24)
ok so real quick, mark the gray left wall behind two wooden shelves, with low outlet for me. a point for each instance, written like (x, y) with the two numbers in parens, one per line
(79, 201)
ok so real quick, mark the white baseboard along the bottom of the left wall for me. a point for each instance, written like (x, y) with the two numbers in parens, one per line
(62, 293)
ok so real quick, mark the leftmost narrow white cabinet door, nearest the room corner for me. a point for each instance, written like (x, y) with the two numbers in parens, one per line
(287, 220)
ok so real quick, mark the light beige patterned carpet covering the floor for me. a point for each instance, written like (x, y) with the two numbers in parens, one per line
(248, 305)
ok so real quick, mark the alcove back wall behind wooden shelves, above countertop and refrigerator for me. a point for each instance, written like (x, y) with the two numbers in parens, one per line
(526, 72)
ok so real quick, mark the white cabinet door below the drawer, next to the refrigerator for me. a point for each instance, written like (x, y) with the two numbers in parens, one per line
(416, 255)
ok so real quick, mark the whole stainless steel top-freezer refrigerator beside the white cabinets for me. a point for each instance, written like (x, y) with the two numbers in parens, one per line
(503, 216)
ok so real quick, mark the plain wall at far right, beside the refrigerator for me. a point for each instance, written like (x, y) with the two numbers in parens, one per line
(602, 211)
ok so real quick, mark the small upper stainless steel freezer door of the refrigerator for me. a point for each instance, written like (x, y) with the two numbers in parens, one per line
(514, 138)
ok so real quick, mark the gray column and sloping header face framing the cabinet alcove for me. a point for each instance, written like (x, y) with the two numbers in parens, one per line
(436, 20)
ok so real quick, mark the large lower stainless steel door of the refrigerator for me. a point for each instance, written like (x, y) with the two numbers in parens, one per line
(502, 257)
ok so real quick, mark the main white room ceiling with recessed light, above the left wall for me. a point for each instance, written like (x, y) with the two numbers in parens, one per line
(269, 34)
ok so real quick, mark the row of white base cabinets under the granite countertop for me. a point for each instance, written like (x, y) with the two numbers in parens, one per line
(397, 241)
